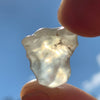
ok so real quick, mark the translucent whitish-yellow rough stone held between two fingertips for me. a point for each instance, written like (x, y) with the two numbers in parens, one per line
(49, 52)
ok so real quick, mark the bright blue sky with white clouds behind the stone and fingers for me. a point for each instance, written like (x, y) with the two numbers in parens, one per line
(19, 18)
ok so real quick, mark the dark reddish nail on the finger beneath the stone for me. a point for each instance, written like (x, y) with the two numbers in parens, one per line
(36, 96)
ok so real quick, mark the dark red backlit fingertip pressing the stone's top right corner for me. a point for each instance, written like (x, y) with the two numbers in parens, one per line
(80, 16)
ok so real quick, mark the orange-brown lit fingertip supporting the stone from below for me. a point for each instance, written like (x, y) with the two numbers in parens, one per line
(33, 91)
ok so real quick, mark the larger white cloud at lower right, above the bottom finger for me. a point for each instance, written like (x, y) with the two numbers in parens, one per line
(93, 83)
